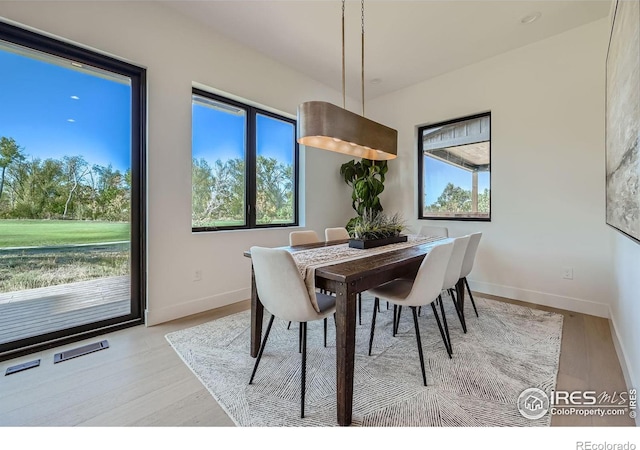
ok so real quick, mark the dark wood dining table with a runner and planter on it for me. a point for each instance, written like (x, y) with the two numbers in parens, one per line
(347, 279)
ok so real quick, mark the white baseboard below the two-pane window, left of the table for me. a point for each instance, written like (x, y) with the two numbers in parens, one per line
(160, 315)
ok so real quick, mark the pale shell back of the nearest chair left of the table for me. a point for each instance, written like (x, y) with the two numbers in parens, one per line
(280, 286)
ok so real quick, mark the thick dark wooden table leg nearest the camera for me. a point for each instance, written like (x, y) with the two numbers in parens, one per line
(345, 351)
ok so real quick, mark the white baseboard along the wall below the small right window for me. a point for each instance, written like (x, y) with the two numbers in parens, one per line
(542, 298)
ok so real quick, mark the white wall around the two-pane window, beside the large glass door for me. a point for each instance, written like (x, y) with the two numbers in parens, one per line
(178, 52)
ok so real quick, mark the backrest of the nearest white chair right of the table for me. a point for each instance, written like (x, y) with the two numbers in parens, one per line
(428, 282)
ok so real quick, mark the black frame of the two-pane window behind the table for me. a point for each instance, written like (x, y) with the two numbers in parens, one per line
(251, 113)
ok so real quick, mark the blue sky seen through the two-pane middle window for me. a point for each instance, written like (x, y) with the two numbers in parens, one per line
(221, 135)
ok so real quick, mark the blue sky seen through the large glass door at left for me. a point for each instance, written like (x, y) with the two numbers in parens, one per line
(53, 111)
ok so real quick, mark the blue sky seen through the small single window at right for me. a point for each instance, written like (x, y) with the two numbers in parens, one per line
(441, 173)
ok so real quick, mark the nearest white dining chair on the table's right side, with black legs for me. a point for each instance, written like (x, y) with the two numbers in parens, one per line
(423, 290)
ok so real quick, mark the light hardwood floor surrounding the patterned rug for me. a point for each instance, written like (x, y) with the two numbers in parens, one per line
(141, 381)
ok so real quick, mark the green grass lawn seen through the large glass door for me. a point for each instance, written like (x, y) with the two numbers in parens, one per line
(36, 233)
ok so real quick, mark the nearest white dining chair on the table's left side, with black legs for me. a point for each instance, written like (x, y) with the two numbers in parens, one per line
(283, 293)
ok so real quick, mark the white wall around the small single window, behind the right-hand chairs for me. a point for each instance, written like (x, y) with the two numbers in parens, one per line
(547, 111)
